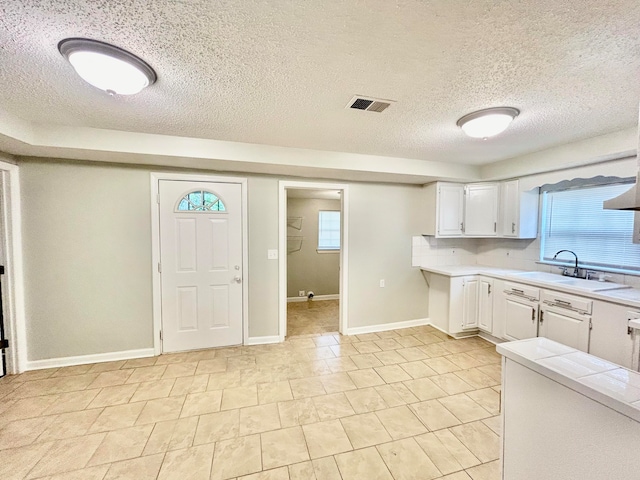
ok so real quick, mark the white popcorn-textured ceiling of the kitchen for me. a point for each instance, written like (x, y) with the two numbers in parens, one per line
(280, 72)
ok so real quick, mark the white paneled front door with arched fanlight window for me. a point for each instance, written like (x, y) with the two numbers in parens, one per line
(201, 264)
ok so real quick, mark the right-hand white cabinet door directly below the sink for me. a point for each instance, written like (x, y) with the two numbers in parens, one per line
(570, 330)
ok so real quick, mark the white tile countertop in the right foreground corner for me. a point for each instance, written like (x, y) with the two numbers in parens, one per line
(606, 383)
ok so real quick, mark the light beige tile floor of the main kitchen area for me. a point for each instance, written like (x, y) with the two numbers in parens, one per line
(404, 404)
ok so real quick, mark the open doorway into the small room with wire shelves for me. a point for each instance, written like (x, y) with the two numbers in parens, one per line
(313, 242)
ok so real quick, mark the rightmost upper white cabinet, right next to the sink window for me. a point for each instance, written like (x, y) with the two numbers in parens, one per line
(519, 211)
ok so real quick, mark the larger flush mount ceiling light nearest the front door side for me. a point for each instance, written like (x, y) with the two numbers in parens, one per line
(107, 67)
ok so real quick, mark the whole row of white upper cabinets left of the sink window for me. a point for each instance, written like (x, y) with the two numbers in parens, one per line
(481, 210)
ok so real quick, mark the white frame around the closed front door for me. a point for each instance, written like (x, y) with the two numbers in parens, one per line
(155, 247)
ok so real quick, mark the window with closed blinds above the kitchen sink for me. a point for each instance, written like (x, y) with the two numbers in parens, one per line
(575, 220)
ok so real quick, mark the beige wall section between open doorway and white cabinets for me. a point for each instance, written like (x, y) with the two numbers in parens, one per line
(382, 220)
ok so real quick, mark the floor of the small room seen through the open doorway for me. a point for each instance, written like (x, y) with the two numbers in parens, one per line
(312, 317)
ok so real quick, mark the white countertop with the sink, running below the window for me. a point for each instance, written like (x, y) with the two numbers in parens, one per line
(607, 291)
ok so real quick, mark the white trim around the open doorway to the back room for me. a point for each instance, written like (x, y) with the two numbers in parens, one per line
(282, 247)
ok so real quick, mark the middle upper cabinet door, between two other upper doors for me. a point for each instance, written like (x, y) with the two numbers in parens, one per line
(481, 209)
